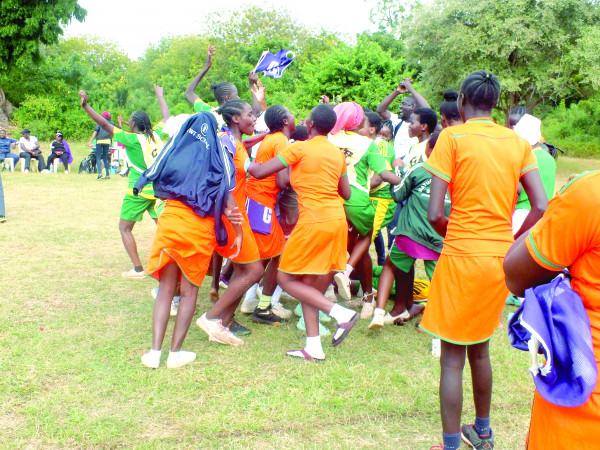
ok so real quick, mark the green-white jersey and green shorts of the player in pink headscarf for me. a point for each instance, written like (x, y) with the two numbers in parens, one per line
(363, 158)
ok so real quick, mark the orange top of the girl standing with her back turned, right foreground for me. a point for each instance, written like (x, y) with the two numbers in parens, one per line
(482, 162)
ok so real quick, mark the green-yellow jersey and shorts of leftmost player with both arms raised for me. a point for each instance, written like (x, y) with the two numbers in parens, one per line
(141, 152)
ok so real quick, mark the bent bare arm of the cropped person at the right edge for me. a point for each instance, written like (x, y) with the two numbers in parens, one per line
(522, 271)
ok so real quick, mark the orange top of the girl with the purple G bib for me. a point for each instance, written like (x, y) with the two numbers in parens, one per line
(265, 191)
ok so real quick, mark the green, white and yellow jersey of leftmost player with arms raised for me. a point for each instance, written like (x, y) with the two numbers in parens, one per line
(141, 152)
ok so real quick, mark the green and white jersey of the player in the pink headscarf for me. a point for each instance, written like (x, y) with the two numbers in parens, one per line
(362, 154)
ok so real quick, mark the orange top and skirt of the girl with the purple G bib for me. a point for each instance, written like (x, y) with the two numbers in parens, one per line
(265, 192)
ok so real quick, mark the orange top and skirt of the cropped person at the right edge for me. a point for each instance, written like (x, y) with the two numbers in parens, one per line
(569, 236)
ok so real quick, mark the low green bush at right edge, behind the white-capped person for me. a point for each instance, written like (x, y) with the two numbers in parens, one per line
(574, 129)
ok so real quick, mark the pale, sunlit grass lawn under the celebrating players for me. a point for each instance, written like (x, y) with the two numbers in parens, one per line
(72, 331)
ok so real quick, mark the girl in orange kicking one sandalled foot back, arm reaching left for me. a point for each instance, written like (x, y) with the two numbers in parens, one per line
(317, 246)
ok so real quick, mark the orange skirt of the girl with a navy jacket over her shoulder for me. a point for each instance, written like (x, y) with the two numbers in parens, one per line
(185, 238)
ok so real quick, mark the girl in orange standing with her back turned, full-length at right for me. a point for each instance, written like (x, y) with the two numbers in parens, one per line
(481, 164)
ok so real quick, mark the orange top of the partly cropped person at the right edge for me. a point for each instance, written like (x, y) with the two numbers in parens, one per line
(569, 236)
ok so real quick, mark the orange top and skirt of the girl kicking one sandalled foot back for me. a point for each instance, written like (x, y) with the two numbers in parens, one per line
(317, 245)
